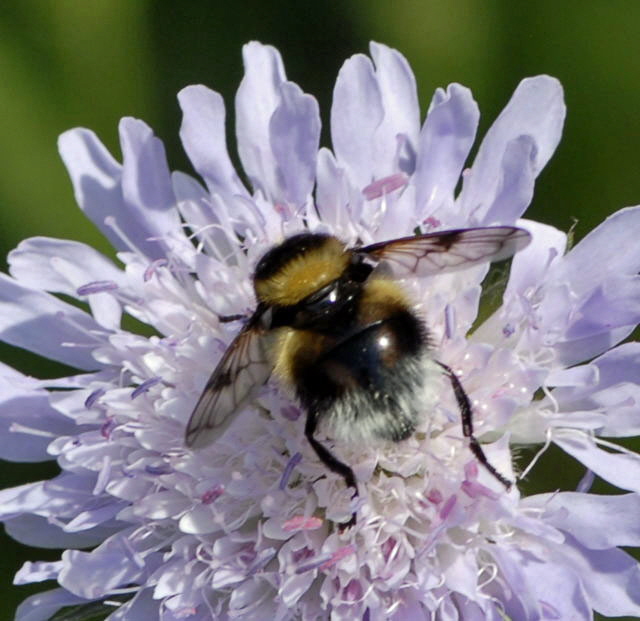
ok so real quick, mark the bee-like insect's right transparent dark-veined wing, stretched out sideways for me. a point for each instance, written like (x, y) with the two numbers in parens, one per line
(447, 251)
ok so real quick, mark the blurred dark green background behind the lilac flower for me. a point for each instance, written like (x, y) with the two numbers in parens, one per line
(66, 63)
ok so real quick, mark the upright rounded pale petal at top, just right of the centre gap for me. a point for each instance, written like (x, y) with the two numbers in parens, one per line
(356, 113)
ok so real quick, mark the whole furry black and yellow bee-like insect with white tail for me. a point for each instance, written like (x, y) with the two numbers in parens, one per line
(333, 323)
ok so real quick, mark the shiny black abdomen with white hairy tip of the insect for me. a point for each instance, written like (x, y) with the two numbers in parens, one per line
(367, 386)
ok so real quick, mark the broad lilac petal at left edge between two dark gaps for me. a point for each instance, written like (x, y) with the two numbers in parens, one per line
(28, 423)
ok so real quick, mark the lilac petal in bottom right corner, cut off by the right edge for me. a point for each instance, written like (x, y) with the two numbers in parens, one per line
(611, 578)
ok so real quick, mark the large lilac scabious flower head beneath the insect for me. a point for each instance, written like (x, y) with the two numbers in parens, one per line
(248, 527)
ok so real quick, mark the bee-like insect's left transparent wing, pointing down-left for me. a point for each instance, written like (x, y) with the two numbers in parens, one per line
(243, 368)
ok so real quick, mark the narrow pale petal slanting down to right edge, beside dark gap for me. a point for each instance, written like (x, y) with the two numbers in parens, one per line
(619, 469)
